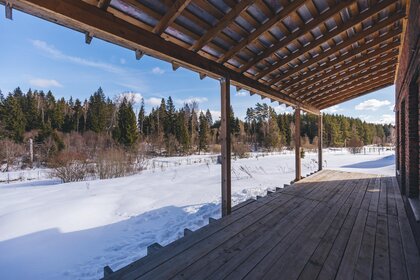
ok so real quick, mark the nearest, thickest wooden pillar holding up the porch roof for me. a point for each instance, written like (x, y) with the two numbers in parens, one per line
(225, 141)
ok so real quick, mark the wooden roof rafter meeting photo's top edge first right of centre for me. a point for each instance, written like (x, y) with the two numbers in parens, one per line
(222, 24)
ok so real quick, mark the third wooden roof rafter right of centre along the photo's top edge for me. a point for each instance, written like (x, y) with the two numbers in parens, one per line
(318, 19)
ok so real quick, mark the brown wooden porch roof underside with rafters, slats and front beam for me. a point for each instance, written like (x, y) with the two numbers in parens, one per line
(311, 54)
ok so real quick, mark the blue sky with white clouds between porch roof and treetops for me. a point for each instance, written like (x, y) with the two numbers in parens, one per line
(40, 55)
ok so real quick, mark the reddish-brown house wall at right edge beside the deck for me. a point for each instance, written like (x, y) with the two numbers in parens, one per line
(408, 114)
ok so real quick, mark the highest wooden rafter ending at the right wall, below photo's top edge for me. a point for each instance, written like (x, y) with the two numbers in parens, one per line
(359, 36)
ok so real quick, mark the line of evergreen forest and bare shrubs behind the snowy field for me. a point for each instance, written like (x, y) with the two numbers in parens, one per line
(99, 122)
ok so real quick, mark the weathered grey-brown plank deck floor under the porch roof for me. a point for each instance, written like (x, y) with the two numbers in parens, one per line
(331, 225)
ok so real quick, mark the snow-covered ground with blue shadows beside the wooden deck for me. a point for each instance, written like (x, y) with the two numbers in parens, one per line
(50, 230)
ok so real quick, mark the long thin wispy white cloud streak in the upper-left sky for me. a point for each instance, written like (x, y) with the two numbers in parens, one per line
(57, 54)
